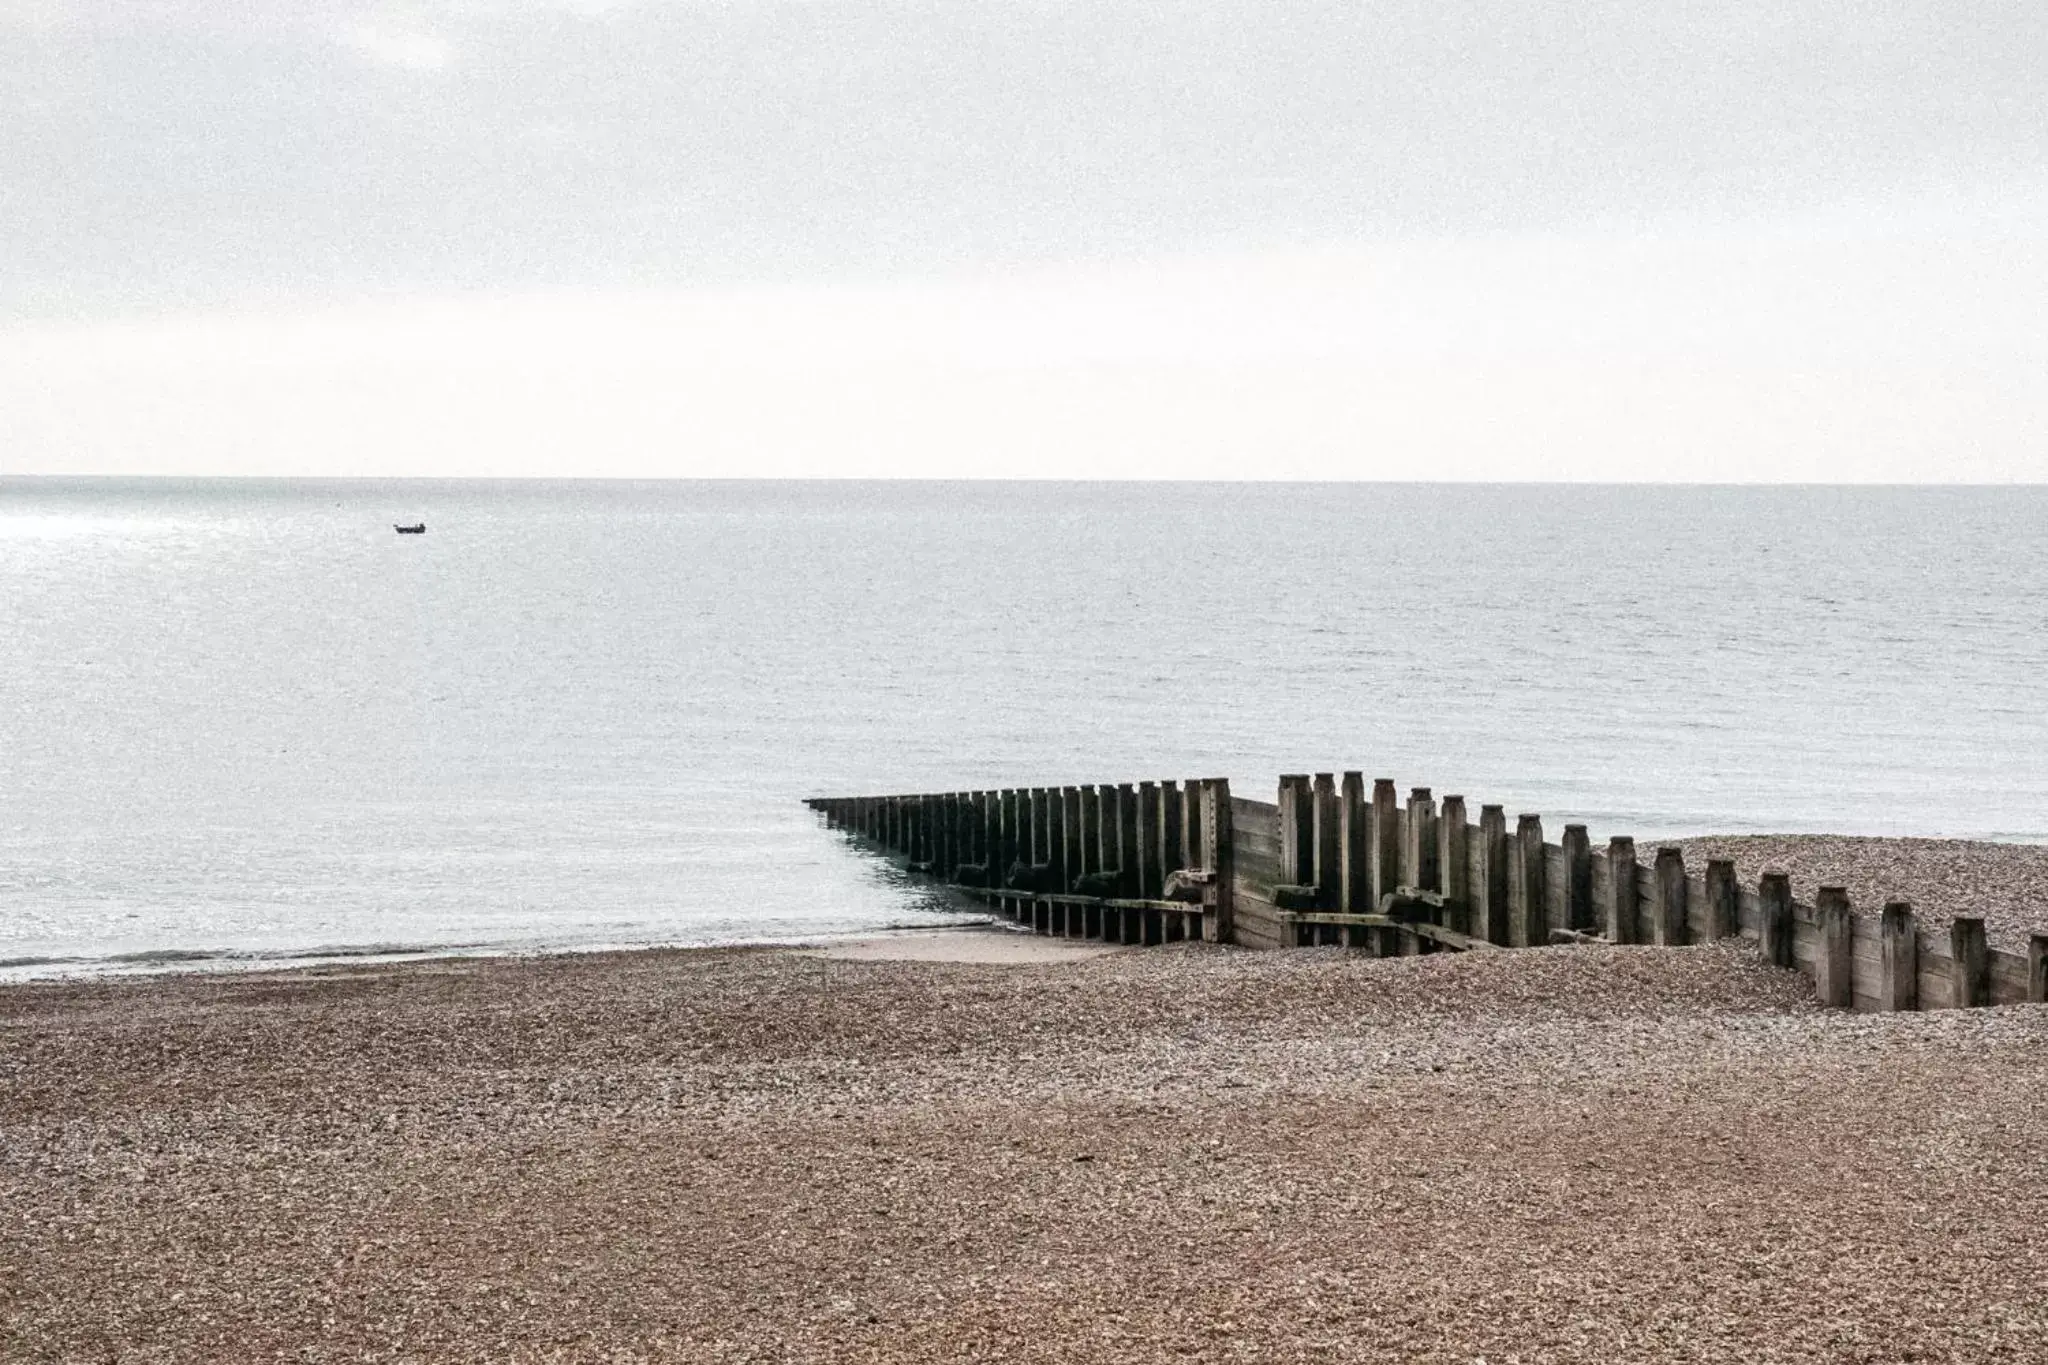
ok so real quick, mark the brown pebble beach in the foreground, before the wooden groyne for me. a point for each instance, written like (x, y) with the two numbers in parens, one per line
(912, 1153)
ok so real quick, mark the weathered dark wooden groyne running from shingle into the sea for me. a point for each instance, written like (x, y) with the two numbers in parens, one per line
(1334, 861)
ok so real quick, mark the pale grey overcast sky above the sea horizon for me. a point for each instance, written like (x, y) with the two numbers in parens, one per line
(1422, 240)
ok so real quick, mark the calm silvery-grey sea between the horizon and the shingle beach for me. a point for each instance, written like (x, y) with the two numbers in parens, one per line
(247, 721)
